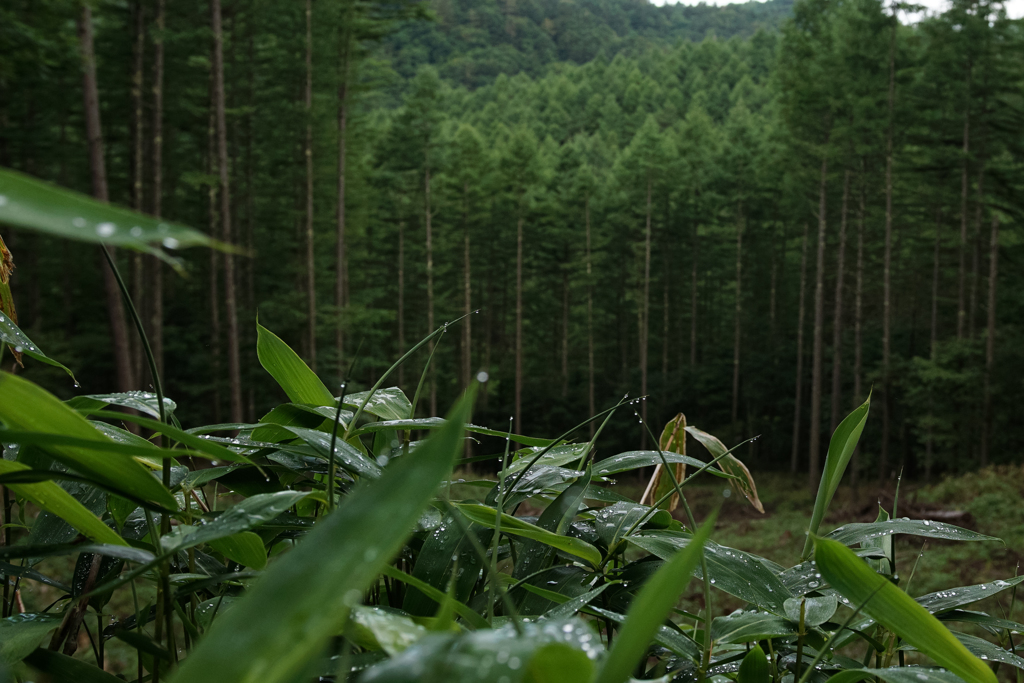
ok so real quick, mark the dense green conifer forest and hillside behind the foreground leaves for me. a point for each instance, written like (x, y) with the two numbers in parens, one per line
(756, 229)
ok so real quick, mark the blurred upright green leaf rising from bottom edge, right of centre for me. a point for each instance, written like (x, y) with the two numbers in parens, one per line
(652, 607)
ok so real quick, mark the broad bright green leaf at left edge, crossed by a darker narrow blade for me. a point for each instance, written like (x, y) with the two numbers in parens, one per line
(29, 408)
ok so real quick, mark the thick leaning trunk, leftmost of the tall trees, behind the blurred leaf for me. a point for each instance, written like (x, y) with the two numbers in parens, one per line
(98, 168)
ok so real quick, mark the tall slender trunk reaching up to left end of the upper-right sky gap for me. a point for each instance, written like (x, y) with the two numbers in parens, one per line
(887, 263)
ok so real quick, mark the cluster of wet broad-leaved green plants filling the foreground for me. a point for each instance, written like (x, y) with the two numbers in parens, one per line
(350, 553)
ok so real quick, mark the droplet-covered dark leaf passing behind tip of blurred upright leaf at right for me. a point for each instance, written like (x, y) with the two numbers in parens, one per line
(733, 571)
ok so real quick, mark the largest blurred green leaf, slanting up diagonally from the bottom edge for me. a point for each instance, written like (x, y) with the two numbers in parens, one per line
(313, 587)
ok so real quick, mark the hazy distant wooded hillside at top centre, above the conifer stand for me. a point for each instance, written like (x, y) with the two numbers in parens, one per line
(473, 41)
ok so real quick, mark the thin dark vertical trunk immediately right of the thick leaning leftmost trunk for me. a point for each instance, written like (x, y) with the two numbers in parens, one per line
(138, 158)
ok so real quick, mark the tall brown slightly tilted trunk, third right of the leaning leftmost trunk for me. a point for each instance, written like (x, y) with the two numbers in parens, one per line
(231, 302)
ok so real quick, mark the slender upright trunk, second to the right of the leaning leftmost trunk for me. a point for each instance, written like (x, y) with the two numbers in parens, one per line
(157, 267)
